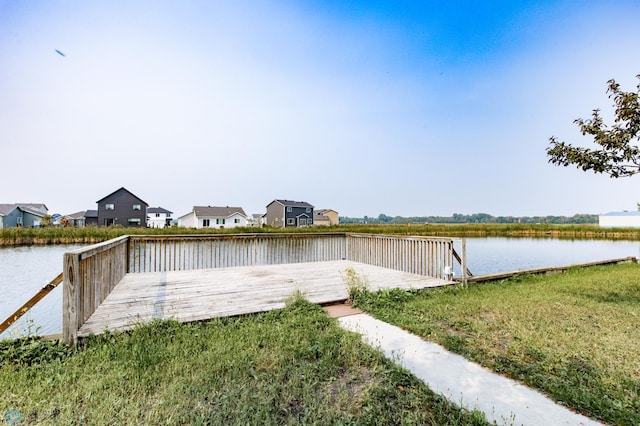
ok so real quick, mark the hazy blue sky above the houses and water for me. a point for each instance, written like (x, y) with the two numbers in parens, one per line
(402, 108)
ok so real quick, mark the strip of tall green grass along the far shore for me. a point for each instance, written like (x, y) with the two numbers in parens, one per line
(93, 234)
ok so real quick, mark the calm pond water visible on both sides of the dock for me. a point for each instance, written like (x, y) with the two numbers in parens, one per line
(24, 270)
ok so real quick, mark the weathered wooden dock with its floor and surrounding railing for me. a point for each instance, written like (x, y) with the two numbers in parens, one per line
(133, 279)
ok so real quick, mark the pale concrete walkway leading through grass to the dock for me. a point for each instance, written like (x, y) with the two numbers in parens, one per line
(504, 401)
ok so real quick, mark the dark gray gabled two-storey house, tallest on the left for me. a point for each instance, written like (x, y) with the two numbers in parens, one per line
(123, 208)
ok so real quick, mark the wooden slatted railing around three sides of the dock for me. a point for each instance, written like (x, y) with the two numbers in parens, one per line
(92, 272)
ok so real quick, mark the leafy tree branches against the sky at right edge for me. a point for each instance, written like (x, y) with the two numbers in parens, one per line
(618, 154)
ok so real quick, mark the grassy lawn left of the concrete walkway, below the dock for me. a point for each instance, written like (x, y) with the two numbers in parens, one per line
(290, 366)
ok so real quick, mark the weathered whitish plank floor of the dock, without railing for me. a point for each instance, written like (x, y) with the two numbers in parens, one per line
(208, 293)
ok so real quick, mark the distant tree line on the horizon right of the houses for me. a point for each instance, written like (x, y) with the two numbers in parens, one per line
(473, 218)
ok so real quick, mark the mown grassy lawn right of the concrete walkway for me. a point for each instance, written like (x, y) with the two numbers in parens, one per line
(574, 336)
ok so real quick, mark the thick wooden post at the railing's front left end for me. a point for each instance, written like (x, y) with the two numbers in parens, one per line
(71, 298)
